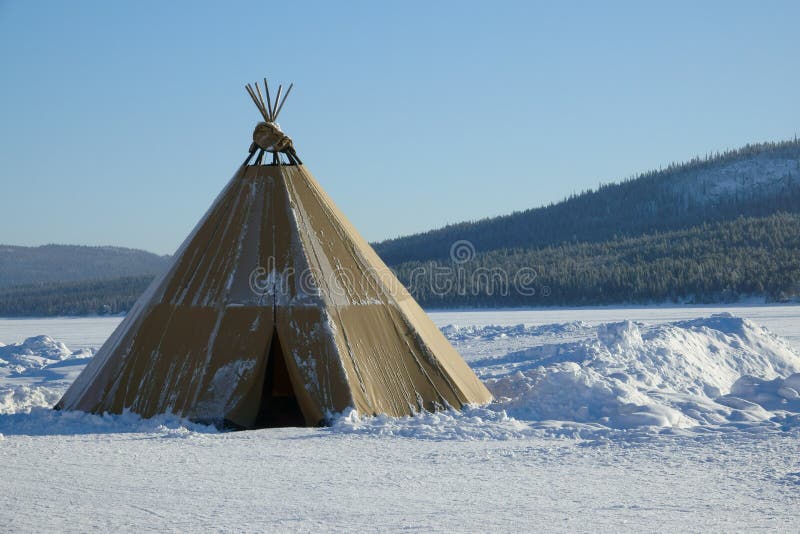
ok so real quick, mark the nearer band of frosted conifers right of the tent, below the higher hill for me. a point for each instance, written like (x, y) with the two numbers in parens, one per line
(711, 262)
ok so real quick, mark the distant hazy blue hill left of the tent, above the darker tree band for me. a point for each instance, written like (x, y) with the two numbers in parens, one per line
(69, 263)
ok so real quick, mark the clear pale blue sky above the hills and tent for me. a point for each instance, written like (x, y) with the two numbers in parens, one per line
(120, 122)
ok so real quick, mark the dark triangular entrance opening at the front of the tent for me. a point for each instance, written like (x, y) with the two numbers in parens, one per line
(278, 406)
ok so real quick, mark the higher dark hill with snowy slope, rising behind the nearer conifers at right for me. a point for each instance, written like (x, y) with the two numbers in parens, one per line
(756, 180)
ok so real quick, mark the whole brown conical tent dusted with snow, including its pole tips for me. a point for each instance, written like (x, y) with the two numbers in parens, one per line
(275, 312)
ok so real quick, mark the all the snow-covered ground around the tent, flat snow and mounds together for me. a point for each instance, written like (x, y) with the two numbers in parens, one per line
(605, 419)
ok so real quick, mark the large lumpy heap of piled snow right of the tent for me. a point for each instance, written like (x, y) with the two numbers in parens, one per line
(681, 374)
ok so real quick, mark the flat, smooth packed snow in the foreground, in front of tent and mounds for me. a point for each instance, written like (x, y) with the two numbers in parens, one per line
(306, 479)
